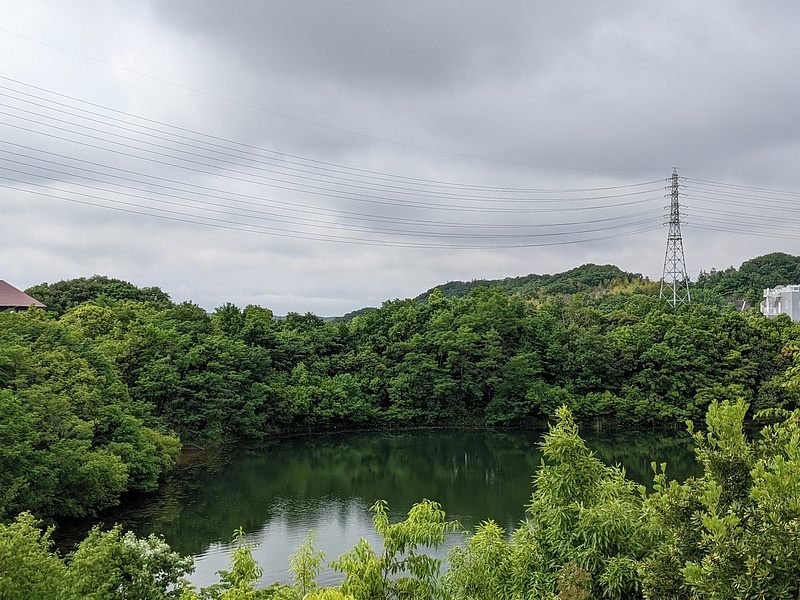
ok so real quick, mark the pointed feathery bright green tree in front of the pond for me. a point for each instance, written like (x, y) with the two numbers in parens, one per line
(587, 514)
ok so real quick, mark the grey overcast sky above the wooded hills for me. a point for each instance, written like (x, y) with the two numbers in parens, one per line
(325, 156)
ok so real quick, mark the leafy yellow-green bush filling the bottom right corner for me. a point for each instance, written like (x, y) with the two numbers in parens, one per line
(733, 533)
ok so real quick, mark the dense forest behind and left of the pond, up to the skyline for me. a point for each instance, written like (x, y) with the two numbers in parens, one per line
(96, 392)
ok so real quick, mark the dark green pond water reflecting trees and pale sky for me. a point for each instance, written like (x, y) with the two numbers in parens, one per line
(280, 490)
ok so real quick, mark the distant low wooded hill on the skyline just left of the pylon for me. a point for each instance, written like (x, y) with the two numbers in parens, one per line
(586, 278)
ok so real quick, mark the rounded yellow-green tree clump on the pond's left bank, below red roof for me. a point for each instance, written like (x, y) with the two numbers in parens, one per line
(70, 440)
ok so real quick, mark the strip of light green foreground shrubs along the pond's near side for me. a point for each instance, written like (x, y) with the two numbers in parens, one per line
(731, 533)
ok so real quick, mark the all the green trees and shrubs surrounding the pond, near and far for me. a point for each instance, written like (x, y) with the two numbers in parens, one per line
(99, 391)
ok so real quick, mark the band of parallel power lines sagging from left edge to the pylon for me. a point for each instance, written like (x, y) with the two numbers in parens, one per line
(163, 164)
